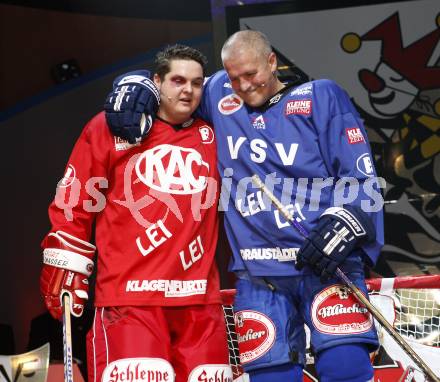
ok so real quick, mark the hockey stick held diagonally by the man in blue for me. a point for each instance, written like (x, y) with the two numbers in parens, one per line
(360, 296)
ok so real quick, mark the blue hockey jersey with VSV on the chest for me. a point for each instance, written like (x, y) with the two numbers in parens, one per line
(310, 147)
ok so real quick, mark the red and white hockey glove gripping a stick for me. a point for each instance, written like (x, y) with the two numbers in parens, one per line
(67, 265)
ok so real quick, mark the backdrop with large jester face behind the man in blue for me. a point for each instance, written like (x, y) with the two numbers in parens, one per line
(387, 57)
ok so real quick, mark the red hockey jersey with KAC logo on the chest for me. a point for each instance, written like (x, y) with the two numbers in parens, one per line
(155, 208)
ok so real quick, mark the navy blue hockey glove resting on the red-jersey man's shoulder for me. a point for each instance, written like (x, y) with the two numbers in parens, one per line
(131, 106)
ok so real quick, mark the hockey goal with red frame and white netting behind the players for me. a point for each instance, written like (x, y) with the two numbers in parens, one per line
(410, 303)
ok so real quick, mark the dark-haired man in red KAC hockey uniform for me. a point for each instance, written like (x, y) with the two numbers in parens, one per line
(154, 203)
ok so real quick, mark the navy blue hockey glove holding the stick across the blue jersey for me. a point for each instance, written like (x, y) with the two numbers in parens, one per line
(338, 232)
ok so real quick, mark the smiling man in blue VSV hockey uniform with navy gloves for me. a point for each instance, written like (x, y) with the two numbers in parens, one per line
(309, 146)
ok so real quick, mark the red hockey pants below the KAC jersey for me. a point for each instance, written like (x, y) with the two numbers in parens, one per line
(186, 337)
